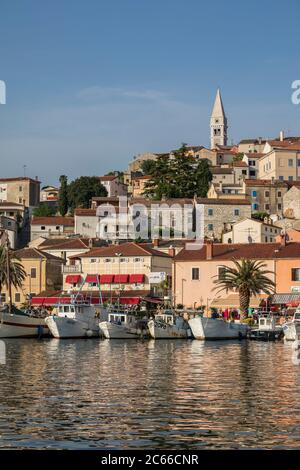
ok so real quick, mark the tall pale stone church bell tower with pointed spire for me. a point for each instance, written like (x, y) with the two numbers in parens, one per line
(218, 123)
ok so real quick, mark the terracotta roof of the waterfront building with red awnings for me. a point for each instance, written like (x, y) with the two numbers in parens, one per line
(127, 249)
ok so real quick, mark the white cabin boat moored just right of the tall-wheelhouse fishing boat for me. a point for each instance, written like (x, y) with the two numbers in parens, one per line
(123, 325)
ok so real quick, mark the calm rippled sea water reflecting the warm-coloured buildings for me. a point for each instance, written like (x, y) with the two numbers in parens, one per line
(80, 394)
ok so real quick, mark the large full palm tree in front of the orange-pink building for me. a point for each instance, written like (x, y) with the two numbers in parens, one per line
(248, 278)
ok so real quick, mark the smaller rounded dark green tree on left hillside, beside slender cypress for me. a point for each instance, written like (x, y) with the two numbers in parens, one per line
(83, 189)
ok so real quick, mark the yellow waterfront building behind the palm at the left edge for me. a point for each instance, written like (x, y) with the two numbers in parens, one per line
(43, 272)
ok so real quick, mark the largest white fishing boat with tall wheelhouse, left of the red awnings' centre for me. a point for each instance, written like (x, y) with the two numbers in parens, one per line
(75, 320)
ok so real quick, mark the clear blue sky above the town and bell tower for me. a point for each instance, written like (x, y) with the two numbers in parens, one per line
(92, 83)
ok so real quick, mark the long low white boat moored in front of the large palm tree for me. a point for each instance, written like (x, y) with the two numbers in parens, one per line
(207, 328)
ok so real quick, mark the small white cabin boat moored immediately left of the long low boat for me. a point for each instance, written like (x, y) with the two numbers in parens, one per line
(168, 326)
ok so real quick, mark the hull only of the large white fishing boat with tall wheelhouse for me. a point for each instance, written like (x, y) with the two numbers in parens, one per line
(64, 327)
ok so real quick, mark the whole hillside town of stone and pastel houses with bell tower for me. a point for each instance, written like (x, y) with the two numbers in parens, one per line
(249, 193)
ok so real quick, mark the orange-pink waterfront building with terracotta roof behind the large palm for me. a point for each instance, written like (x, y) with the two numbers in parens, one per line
(194, 271)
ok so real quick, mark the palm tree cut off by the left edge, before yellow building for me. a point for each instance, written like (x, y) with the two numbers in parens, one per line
(12, 271)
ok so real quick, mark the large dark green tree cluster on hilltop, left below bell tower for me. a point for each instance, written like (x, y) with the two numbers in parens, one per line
(178, 176)
